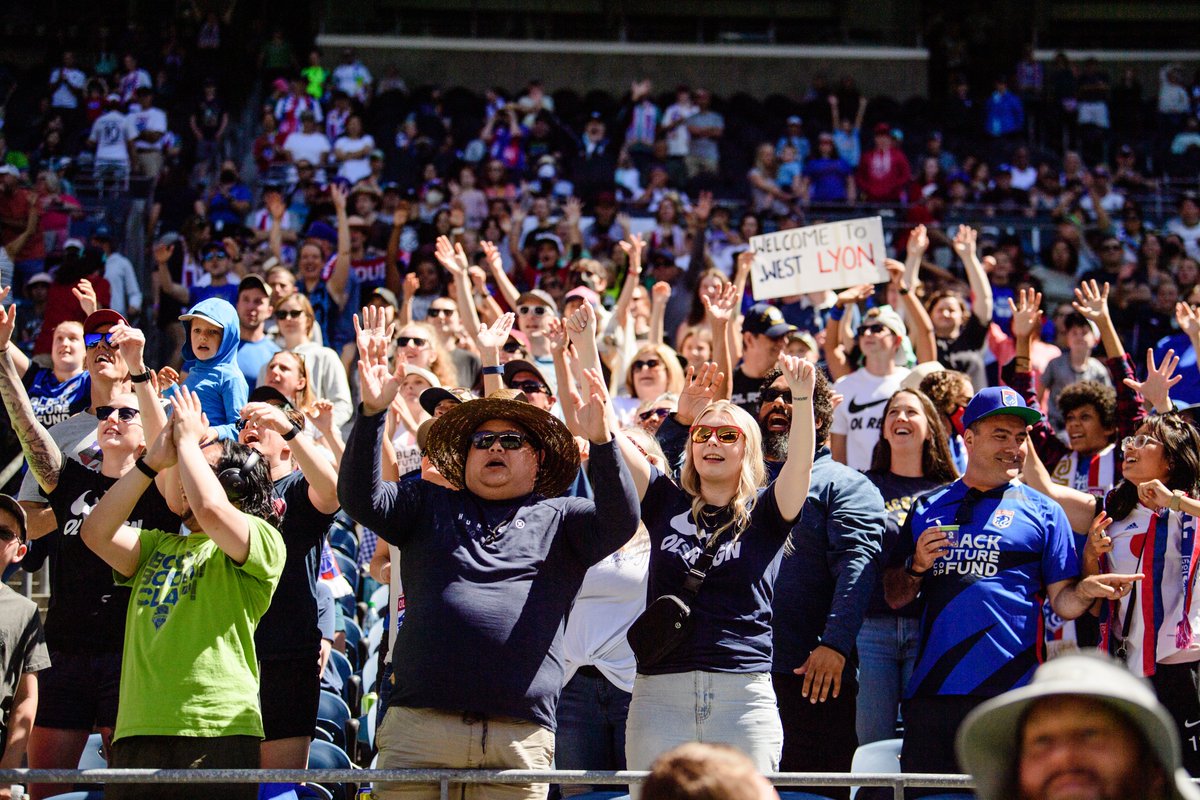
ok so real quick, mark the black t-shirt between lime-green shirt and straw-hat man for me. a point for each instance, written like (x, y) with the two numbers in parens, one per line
(290, 627)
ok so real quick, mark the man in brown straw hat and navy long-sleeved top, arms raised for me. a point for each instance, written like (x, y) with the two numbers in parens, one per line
(490, 570)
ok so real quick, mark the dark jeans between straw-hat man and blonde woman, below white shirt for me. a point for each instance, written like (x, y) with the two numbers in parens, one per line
(591, 735)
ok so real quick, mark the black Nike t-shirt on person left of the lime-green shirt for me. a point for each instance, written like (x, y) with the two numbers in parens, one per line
(87, 612)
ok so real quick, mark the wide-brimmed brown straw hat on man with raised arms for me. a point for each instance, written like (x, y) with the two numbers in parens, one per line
(452, 432)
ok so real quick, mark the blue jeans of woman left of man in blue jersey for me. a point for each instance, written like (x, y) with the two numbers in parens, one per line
(887, 654)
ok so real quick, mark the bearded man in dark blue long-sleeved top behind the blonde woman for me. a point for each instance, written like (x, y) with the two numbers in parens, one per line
(823, 592)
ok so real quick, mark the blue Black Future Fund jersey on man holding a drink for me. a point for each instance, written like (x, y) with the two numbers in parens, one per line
(981, 624)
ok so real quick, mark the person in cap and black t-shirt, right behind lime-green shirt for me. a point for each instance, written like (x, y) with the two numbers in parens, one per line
(287, 640)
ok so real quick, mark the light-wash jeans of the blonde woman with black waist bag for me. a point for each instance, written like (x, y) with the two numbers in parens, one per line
(712, 707)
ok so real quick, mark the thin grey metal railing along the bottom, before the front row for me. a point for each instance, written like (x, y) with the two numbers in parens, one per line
(896, 781)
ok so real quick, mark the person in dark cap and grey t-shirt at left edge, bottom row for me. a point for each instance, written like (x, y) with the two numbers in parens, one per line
(23, 653)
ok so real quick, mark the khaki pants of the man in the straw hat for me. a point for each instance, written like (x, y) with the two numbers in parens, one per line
(431, 739)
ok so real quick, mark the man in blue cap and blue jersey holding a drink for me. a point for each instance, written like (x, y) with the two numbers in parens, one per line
(982, 554)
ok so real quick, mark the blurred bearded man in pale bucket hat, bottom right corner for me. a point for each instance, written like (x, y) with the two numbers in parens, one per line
(1085, 727)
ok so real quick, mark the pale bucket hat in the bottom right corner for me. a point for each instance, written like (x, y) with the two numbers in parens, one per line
(989, 739)
